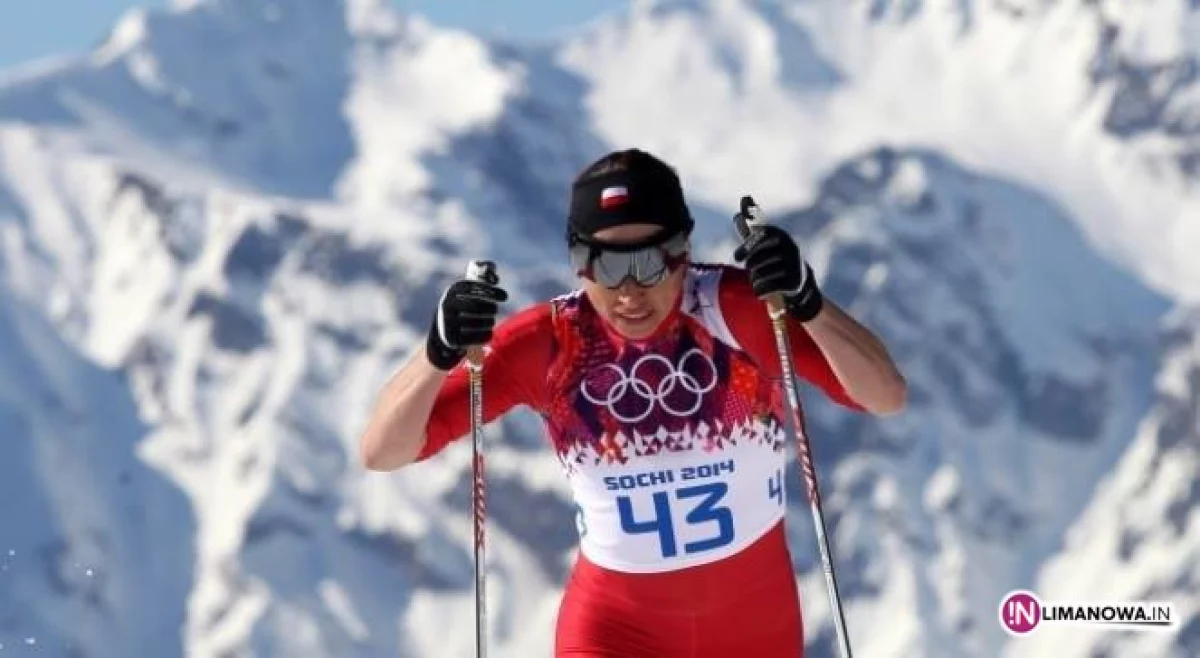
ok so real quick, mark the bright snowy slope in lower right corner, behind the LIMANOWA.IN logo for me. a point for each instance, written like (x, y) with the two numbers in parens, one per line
(1141, 529)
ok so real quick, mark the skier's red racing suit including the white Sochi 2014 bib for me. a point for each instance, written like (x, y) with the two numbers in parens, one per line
(674, 447)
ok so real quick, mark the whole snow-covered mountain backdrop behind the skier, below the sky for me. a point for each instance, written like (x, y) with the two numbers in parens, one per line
(224, 229)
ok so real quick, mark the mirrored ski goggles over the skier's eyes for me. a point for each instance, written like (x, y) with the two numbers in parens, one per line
(646, 264)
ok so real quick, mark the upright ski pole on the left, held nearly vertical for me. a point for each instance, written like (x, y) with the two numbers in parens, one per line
(483, 272)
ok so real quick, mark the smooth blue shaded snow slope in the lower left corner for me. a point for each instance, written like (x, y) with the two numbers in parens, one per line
(98, 557)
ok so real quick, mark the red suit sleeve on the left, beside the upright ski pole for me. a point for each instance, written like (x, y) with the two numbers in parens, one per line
(515, 364)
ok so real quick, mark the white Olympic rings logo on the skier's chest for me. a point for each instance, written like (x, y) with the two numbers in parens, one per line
(634, 385)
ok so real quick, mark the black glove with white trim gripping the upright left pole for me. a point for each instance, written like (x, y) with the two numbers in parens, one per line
(465, 318)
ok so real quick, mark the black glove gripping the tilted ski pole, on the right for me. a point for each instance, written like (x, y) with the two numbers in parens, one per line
(776, 266)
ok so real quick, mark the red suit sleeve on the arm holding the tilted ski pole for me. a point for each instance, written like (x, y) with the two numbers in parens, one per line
(749, 321)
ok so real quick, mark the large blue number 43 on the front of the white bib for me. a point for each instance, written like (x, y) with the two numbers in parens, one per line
(704, 511)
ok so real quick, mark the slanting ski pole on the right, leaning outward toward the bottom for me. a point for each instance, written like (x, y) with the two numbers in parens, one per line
(747, 223)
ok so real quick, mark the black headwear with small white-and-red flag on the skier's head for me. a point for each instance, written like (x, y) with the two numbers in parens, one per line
(623, 188)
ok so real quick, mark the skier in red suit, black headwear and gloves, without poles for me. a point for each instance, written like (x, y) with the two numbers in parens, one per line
(658, 382)
